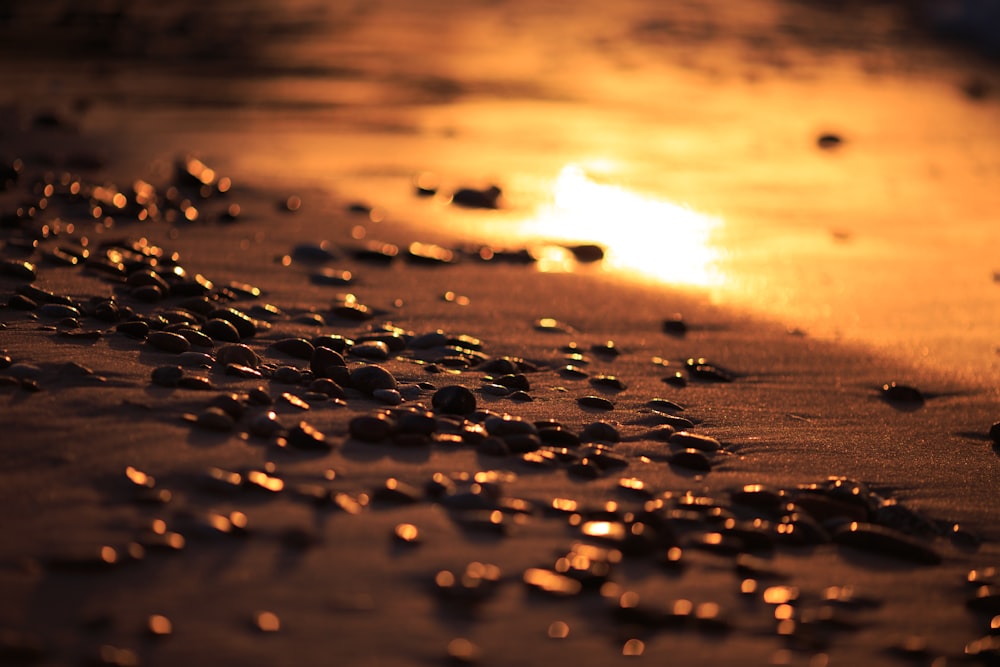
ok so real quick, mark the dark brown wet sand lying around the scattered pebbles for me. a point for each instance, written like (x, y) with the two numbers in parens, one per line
(320, 553)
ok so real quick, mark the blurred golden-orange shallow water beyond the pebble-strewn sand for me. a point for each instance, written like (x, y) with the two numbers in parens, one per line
(683, 138)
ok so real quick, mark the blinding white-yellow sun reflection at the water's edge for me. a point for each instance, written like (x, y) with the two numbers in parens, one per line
(642, 234)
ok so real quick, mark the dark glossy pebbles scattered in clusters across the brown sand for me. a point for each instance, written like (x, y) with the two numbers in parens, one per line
(216, 338)
